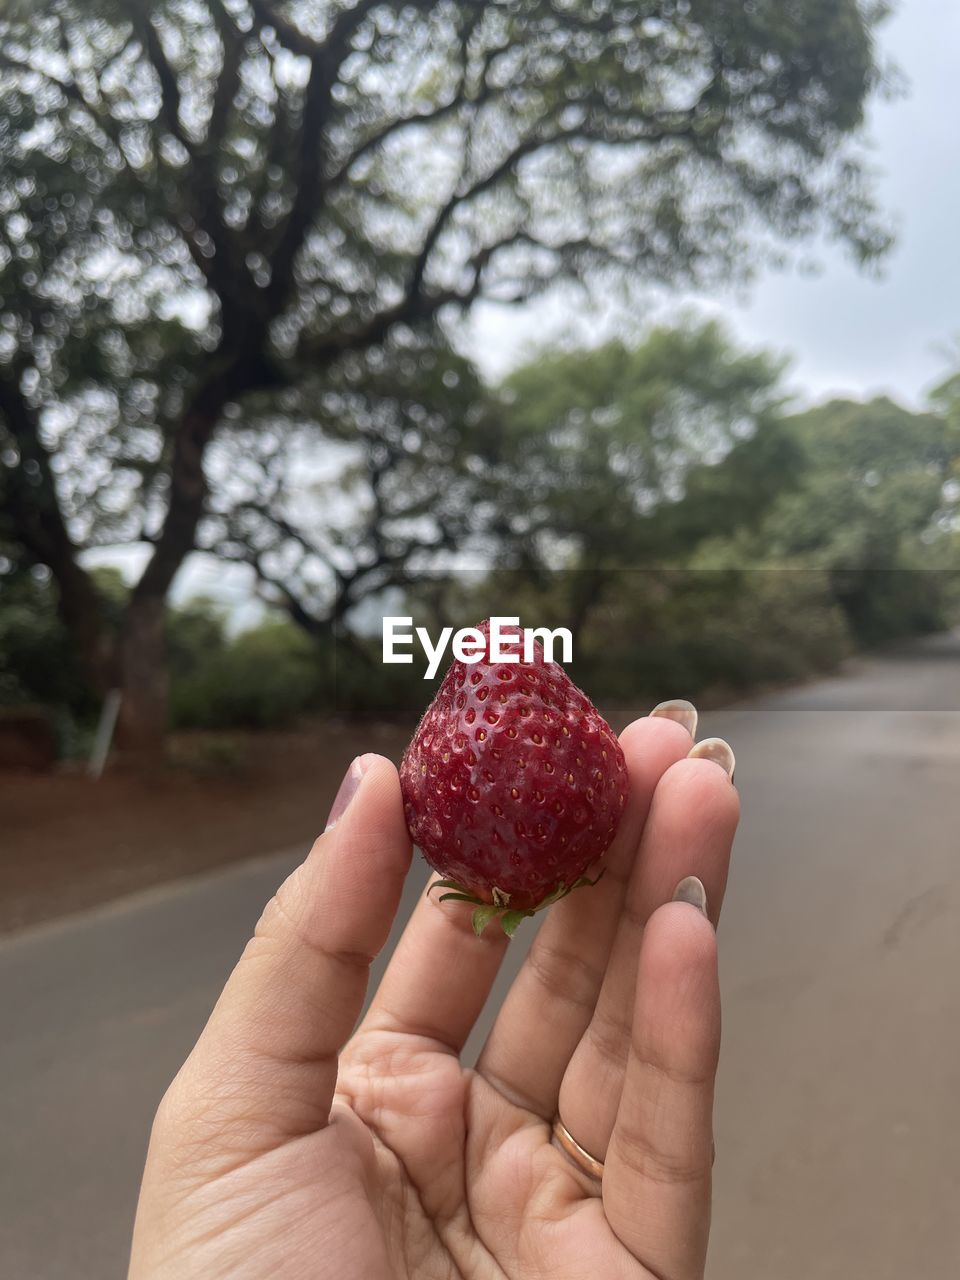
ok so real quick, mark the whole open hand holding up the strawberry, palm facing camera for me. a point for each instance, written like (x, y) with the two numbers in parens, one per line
(289, 1148)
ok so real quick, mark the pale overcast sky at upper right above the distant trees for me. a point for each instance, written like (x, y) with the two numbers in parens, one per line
(849, 333)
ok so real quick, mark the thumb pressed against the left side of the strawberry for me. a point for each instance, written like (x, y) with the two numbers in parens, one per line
(267, 1060)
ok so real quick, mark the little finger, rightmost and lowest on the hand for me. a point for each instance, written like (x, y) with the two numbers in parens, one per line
(661, 1150)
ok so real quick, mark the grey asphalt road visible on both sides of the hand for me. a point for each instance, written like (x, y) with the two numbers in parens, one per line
(838, 1135)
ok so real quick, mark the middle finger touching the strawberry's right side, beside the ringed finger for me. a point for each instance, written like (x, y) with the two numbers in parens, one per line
(552, 1000)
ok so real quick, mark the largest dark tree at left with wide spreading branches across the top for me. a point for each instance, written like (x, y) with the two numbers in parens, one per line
(204, 202)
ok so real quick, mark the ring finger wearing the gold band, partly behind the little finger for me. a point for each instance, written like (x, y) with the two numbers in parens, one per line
(691, 833)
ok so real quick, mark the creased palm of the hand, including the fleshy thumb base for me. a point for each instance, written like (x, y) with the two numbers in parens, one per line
(465, 1185)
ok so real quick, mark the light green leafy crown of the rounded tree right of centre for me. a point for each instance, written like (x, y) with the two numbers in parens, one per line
(604, 444)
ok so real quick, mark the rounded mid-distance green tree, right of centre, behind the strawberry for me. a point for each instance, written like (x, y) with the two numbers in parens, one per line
(621, 459)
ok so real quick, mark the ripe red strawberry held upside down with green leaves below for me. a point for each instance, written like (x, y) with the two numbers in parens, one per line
(513, 785)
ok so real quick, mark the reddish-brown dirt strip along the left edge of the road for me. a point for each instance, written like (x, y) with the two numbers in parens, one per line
(68, 844)
